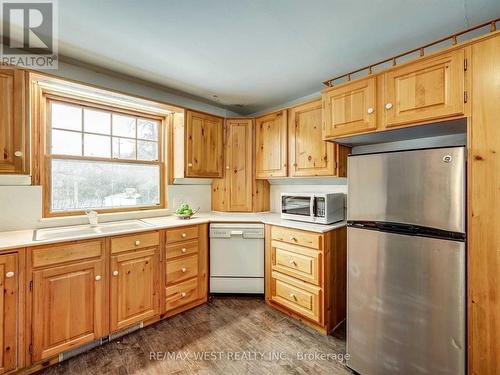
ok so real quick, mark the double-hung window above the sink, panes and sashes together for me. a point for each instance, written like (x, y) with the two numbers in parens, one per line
(102, 158)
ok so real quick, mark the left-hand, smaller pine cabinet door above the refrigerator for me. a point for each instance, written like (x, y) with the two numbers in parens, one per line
(350, 108)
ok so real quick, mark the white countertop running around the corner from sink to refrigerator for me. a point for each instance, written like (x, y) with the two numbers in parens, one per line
(24, 238)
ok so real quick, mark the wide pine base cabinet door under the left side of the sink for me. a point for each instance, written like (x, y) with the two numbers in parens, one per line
(68, 307)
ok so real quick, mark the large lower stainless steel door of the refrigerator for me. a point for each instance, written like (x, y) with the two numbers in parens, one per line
(406, 304)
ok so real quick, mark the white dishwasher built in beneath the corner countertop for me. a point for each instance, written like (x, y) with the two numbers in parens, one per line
(237, 258)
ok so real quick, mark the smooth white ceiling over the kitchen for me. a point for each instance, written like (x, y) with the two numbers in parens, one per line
(255, 53)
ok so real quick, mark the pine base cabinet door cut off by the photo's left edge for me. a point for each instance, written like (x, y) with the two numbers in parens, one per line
(9, 279)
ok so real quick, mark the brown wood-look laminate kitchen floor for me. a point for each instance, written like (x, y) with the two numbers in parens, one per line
(240, 335)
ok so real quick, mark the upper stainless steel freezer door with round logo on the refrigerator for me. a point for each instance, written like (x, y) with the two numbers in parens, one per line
(420, 187)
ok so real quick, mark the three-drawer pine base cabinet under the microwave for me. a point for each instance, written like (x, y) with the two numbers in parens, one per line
(306, 275)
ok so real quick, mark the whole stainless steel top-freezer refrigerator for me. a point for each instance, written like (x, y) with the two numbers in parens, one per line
(406, 262)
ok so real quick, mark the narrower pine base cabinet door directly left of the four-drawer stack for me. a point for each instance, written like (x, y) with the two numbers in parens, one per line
(135, 287)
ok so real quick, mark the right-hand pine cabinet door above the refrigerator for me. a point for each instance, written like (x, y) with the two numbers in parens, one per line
(425, 90)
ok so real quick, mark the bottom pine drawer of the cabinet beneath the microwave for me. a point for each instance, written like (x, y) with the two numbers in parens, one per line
(301, 298)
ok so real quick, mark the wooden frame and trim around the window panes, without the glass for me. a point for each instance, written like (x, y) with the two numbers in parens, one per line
(42, 174)
